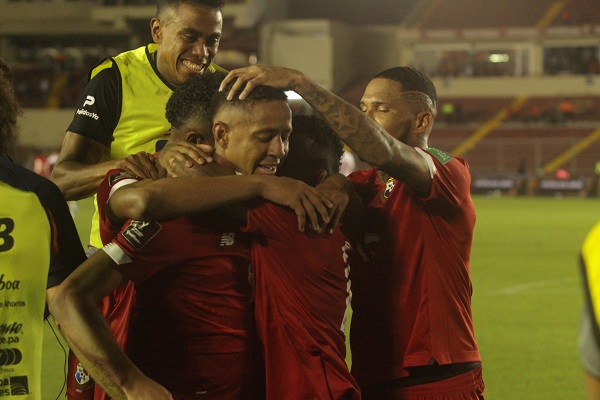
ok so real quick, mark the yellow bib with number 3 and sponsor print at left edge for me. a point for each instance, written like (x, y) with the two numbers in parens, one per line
(25, 247)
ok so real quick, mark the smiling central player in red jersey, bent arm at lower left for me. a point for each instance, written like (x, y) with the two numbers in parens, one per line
(193, 306)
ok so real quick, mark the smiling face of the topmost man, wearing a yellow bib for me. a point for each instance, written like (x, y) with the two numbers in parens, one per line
(188, 37)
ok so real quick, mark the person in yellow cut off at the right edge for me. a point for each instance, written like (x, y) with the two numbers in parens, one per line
(589, 332)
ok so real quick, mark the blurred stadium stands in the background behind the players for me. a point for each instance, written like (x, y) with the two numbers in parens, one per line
(469, 45)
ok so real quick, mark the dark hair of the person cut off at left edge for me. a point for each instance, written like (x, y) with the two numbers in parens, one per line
(9, 109)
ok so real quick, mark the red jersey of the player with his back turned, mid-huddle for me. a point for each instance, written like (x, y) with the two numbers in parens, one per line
(301, 294)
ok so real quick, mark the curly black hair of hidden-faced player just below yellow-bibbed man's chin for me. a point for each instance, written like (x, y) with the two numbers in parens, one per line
(193, 99)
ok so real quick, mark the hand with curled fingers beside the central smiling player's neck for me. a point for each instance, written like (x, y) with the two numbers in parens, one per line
(175, 156)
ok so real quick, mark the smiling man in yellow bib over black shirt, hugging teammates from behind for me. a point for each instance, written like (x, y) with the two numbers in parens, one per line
(121, 118)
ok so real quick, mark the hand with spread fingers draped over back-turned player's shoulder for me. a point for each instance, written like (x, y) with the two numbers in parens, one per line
(311, 206)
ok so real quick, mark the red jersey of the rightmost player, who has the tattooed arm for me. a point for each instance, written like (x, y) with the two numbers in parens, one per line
(412, 295)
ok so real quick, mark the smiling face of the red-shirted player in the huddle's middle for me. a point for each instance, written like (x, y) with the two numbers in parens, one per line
(253, 138)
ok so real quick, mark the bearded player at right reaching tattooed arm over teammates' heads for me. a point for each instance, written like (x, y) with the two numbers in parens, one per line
(412, 330)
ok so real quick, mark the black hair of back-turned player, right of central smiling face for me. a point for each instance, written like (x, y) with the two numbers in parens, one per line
(314, 147)
